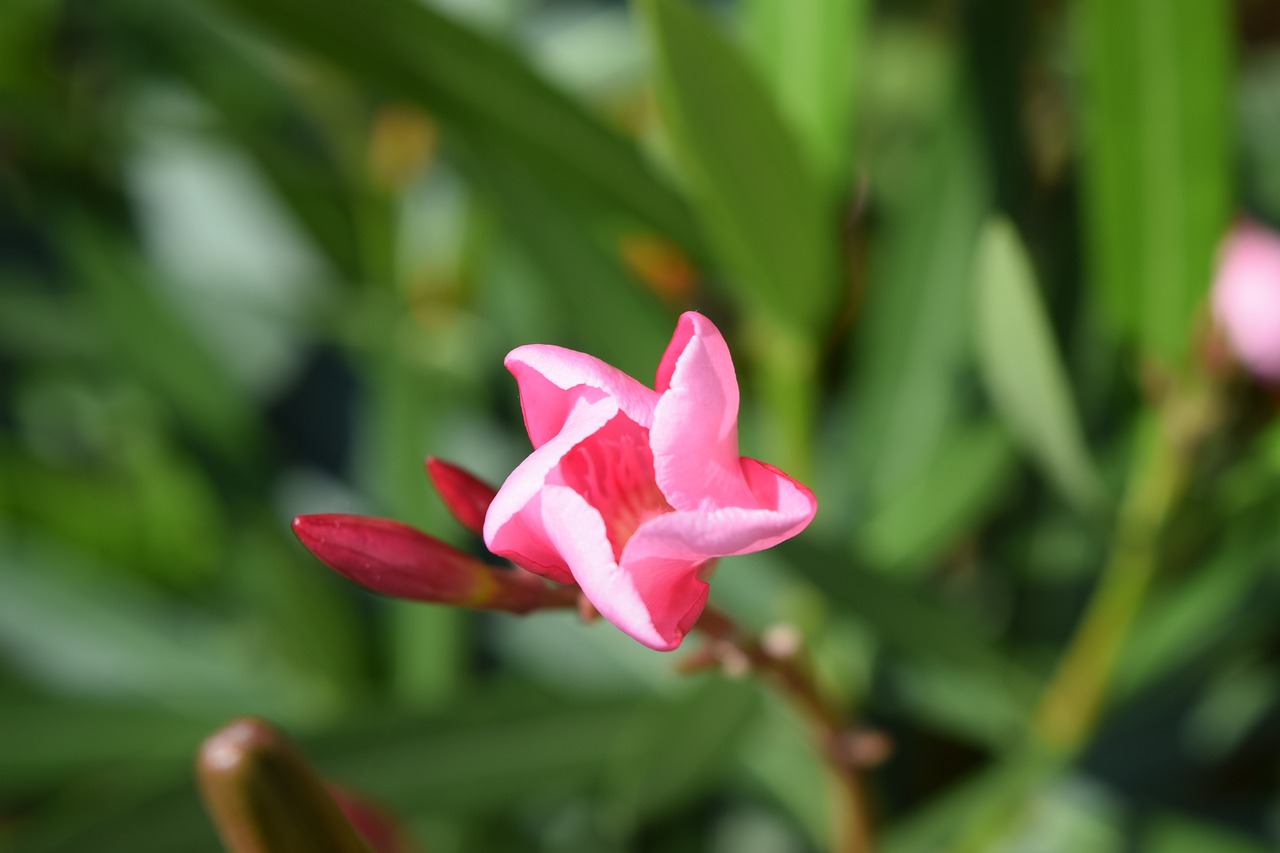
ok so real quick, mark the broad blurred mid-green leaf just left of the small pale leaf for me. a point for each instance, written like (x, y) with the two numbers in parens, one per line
(913, 344)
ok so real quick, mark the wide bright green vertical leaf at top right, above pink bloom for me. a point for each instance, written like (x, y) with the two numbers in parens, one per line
(1158, 171)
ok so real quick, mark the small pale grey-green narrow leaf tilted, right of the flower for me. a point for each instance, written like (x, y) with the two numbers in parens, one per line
(1022, 370)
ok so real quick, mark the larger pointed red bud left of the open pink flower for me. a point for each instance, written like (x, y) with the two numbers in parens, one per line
(394, 559)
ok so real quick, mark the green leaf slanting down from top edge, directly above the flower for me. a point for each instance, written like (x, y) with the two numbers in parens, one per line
(756, 195)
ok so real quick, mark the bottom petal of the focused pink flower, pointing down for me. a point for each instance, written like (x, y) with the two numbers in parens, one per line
(655, 601)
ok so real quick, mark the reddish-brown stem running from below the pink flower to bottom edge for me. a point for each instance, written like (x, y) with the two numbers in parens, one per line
(852, 827)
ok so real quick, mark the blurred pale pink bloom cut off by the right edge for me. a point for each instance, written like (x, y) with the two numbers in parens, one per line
(1247, 298)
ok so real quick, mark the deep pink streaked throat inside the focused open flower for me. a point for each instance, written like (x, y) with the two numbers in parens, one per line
(614, 472)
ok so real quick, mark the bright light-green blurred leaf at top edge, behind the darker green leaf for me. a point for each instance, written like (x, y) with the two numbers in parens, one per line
(811, 52)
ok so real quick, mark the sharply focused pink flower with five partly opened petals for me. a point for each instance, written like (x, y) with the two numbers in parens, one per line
(633, 492)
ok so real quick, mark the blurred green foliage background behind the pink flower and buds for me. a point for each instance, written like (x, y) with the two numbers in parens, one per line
(259, 258)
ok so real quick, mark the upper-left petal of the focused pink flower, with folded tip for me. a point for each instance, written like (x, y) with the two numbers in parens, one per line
(554, 381)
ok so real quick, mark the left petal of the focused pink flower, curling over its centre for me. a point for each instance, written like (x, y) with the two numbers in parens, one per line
(514, 526)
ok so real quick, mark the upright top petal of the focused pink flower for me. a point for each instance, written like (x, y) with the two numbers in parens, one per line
(694, 434)
